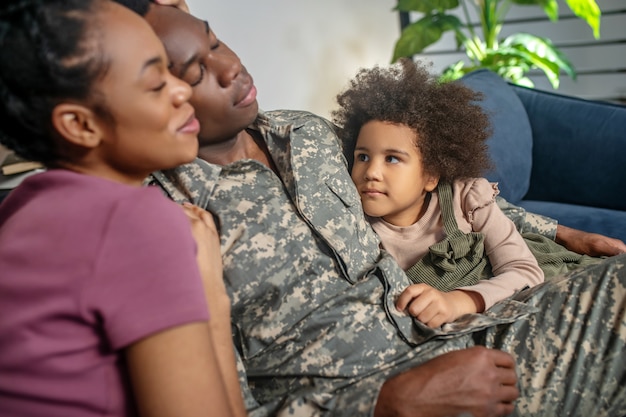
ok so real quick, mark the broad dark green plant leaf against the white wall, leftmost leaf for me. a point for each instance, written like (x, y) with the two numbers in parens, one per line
(426, 31)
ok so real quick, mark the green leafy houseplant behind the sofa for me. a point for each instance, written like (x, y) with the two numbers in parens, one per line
(512, 57)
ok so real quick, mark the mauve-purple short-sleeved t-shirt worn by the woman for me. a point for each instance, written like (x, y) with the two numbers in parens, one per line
(87, 267)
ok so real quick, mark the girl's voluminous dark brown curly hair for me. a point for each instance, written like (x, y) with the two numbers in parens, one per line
(450, 128)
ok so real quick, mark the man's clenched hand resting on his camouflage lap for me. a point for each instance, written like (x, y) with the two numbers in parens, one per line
(477, 380)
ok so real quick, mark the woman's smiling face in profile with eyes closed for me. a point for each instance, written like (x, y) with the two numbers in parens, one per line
(153, 125)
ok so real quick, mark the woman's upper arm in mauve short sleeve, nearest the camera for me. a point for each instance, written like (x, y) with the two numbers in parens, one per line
(158, 315)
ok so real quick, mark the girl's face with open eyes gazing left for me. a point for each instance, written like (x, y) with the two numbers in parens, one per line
(389, 174)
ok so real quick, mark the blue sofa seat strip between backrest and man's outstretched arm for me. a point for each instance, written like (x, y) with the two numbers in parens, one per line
(598, 220)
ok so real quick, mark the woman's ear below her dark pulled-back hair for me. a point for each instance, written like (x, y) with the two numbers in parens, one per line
(77, 124)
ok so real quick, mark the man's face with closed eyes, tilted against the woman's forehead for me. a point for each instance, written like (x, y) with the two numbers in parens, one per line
(224, 94)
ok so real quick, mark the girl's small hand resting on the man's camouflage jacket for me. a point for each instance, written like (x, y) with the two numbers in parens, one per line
(433, 307)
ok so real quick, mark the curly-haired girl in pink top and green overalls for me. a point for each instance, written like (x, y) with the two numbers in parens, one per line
(419, 149)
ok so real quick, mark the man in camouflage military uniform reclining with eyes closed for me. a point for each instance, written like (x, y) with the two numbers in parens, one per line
(313, 295)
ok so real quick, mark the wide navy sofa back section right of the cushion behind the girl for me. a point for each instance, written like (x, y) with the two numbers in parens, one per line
(579, 149)
